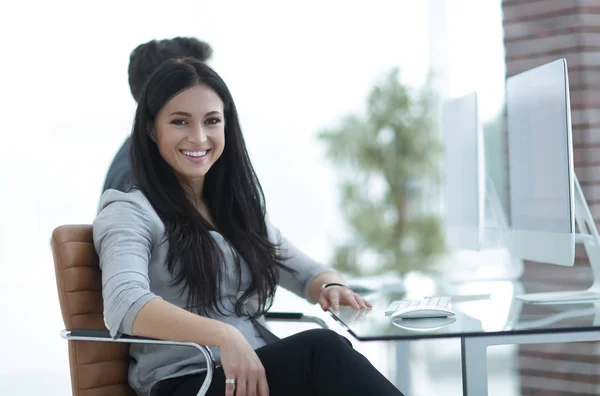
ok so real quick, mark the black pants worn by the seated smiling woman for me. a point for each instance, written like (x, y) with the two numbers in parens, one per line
(314, 362)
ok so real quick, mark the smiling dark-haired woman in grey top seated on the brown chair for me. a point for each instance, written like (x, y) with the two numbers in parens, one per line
(189, 255)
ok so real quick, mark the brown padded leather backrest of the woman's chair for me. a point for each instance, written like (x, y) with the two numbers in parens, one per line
(97, 368)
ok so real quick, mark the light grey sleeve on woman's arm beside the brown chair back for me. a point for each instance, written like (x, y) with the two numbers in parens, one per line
(123, 240)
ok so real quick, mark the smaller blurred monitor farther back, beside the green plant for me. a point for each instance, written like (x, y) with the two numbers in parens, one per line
(463, 174)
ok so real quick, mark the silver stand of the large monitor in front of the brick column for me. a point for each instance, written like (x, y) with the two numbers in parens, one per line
(589, 237)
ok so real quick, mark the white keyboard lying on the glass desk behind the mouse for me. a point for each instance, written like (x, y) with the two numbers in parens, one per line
(430, 307)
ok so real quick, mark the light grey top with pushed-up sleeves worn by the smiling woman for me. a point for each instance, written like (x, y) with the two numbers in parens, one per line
(128, 236)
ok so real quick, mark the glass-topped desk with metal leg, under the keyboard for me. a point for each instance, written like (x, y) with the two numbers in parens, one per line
(481, 321)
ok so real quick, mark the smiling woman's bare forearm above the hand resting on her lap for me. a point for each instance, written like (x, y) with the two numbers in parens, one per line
(164, 321)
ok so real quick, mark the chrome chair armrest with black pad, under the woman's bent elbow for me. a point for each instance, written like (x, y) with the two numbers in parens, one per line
(104, 336)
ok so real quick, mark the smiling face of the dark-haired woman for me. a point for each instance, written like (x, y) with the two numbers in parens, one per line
(190, 132)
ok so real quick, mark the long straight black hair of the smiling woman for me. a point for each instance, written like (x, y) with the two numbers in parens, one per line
(231, 191)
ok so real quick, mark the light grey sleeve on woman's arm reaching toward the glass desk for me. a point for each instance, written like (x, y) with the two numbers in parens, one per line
(305, 267)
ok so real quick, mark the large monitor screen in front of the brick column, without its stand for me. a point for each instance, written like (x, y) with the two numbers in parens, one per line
(540, 152)
